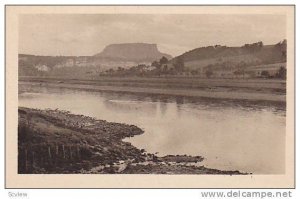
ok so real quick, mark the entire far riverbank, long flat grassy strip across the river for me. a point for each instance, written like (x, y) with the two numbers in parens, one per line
(257, 90)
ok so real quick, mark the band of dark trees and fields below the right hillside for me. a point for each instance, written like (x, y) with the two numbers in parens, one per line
(164, 68)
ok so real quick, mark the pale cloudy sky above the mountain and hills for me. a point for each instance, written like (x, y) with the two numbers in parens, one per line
(88, 34)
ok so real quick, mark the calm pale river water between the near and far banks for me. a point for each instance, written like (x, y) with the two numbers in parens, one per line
(229, 135)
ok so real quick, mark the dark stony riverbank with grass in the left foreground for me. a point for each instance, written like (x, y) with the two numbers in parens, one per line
(54, 141)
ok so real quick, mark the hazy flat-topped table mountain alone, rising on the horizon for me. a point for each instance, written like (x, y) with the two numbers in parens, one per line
(135, 52)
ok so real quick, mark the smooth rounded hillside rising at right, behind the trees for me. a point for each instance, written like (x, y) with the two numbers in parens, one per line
(230, 58)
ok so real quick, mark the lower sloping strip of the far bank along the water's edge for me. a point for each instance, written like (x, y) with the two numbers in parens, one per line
(207, 92)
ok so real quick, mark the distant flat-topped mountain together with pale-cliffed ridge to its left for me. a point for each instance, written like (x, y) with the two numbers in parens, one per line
(113, 56)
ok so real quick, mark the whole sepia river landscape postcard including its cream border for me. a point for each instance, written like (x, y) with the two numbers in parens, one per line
(177, 91)
